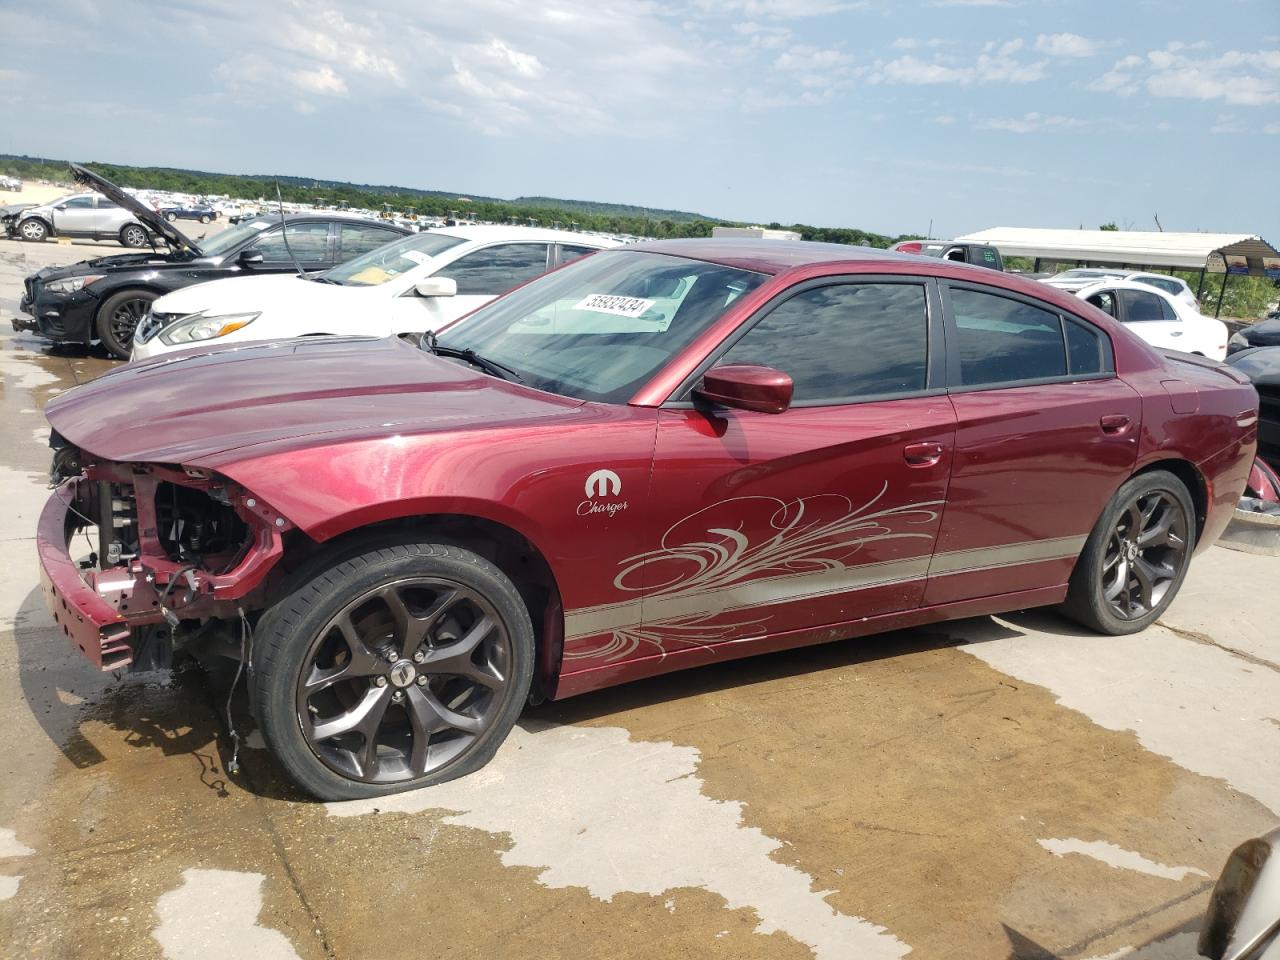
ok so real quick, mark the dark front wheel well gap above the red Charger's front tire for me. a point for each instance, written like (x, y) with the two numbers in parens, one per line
(508, 550)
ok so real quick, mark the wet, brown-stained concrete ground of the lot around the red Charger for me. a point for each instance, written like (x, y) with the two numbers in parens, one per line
(995, 788)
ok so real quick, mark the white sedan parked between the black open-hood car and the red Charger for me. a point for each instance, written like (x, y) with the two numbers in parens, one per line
(413, 285)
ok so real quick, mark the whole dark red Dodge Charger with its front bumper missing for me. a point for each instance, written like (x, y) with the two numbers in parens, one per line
(657, 458)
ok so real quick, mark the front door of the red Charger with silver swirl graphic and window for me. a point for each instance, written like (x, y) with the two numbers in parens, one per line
(765, 524)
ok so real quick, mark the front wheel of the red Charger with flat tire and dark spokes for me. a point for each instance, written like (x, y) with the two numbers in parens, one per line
(332, 657)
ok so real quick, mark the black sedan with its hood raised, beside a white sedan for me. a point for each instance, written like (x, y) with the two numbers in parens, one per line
(107, 298)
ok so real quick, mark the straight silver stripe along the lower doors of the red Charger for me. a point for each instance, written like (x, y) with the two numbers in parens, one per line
(593, 621)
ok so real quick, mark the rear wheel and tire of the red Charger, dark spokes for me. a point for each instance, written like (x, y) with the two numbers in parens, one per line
(1119, 586)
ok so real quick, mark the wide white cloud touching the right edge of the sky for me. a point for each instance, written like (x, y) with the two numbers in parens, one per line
(1240, 79)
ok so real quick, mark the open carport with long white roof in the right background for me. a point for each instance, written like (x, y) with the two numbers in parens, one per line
(1139, 250)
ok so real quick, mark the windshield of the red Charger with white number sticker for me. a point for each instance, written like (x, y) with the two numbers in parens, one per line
(602, 327)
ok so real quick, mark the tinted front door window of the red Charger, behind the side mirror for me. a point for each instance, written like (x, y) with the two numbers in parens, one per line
(844, 342)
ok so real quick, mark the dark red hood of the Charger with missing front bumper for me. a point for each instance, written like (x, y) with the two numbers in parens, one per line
(191, 406)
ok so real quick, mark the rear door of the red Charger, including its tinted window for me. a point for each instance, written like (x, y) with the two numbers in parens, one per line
(1045, 435)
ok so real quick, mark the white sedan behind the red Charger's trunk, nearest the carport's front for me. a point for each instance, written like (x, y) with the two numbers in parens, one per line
(1160, 319)
